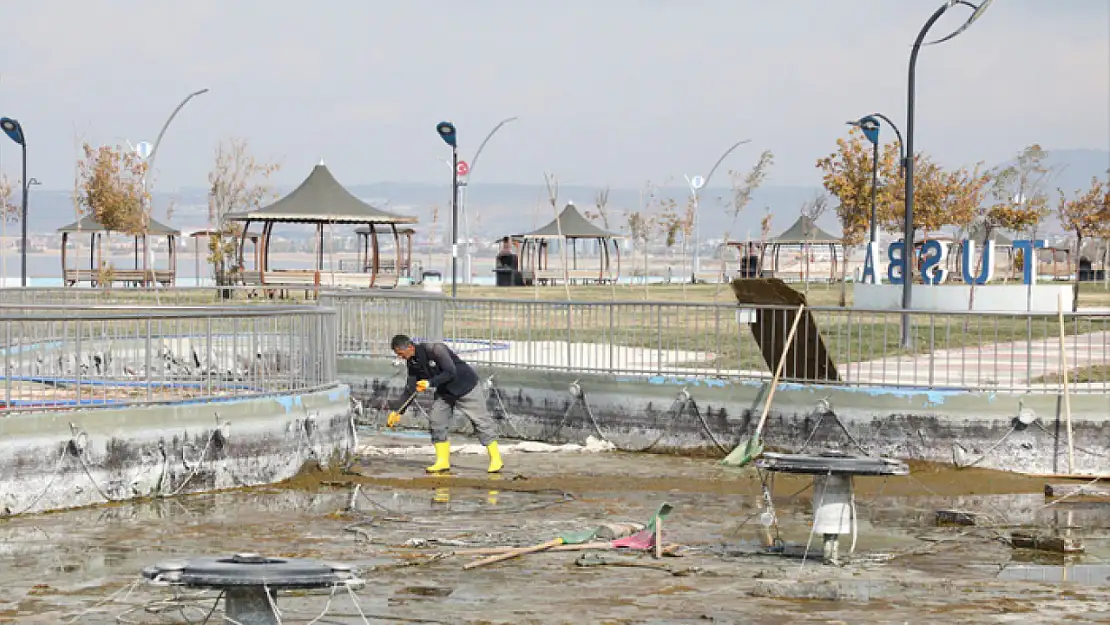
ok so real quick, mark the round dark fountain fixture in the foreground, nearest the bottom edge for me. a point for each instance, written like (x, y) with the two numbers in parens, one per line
(250, 582)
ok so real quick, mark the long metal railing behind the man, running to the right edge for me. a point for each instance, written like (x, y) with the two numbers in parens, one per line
(970, 351)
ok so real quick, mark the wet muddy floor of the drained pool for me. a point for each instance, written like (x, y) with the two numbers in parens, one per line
(83, 567)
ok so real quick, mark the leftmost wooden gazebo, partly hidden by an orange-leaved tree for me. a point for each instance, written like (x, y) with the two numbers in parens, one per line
(137, 276)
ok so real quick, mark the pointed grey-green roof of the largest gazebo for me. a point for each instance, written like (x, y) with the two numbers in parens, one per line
(321, 199)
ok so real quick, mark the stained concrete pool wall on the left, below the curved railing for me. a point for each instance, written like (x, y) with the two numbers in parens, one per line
(55, 460)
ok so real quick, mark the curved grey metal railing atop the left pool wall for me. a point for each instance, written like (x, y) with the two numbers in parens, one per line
(72, 356)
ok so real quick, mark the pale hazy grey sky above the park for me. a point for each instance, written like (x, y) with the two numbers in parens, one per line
(608, 92)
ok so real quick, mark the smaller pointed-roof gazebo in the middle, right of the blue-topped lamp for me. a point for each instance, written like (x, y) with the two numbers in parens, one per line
(568, 229)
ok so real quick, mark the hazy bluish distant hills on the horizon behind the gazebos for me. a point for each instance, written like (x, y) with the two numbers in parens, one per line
(499, 209)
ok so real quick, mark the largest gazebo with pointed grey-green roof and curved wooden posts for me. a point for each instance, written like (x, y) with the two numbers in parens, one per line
(322, 201)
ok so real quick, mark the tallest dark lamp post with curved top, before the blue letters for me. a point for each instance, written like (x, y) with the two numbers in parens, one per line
(909, 233)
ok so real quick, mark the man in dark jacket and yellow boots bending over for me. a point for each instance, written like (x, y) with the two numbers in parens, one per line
(436, 366)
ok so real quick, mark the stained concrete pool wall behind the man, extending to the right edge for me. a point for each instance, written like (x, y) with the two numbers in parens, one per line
(992, 430)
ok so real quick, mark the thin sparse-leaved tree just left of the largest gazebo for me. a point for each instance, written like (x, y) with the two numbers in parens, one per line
(238, 183)
